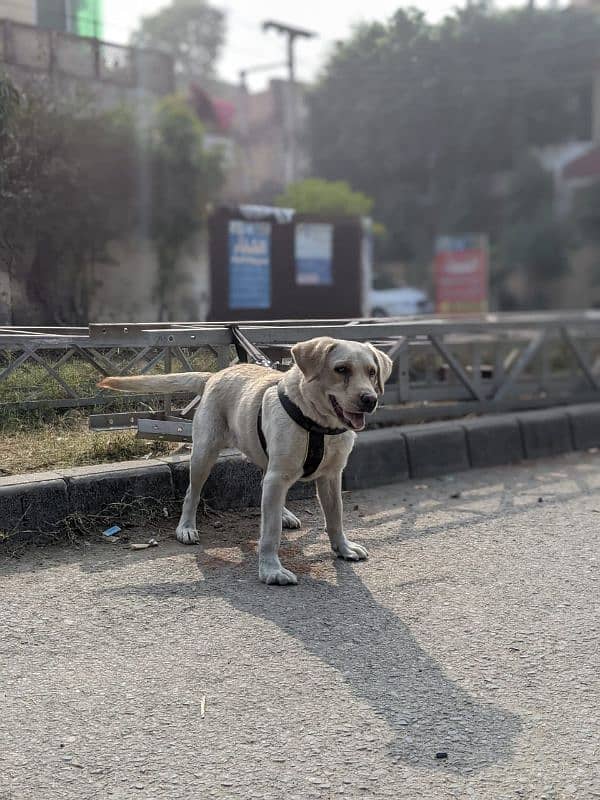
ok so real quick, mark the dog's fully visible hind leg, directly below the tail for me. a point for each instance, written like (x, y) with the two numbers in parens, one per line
(208, 441)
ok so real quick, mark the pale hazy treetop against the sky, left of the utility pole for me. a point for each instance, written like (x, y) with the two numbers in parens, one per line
(192, 31)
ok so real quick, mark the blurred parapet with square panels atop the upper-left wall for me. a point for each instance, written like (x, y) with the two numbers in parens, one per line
(58, 53)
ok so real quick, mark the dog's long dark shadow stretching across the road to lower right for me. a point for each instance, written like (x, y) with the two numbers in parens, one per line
(343, 625)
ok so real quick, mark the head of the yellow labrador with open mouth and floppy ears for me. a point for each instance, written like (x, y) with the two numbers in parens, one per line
(342, 379)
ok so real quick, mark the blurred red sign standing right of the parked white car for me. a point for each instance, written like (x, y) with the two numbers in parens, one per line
(461, 274)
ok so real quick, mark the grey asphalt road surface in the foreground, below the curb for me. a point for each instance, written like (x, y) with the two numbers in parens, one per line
(472, 631)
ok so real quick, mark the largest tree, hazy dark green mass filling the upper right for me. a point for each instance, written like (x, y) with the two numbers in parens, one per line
(425, 118)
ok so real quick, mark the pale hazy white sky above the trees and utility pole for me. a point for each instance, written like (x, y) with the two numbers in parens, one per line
(247, 45)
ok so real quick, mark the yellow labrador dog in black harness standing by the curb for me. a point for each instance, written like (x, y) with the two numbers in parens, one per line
(298, 425)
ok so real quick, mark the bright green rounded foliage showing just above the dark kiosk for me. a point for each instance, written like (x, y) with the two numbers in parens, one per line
(317, 196)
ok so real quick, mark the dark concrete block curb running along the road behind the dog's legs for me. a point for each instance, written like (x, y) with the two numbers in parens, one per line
(42, 502)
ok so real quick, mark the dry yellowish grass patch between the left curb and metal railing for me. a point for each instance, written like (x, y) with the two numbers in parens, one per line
(34, 442)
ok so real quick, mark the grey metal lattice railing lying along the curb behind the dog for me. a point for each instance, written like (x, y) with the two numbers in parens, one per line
(442, 367)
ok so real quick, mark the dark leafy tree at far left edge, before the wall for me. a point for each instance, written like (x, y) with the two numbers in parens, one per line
(67, 188)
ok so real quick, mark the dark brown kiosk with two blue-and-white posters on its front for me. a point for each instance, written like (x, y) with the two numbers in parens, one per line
(271, 263)
